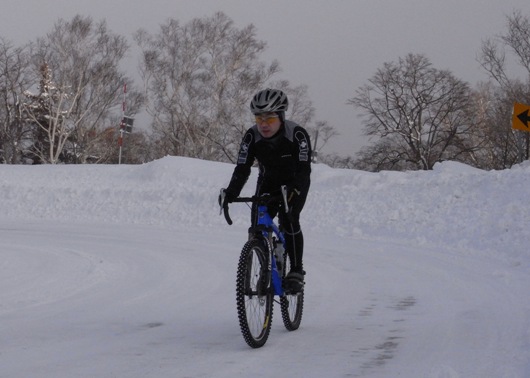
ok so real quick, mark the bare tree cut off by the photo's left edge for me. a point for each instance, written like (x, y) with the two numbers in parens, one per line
(13, 79)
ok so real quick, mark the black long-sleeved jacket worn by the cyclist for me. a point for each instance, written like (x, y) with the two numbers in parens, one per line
(284, 159)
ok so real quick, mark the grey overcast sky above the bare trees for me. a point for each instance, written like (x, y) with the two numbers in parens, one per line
(332, 46)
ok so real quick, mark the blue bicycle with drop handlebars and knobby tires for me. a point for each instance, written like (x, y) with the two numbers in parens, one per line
(261, 271)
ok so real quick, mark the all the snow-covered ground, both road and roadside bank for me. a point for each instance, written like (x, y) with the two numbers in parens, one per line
(129, 271)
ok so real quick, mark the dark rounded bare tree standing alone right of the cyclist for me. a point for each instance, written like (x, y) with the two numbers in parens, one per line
(419, 113)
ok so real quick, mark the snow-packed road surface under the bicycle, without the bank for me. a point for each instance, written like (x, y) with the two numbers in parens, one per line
(85, 300)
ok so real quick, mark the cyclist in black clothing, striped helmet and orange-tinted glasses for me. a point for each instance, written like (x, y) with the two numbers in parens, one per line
(283, 152)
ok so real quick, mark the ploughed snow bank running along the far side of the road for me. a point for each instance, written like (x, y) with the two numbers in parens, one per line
(454, 205)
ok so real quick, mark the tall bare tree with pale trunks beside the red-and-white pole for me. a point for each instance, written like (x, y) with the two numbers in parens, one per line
(77, 66)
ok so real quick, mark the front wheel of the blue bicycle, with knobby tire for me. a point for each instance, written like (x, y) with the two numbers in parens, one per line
(254, 296)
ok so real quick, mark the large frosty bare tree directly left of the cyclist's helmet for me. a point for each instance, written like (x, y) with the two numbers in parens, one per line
(199, 78)
